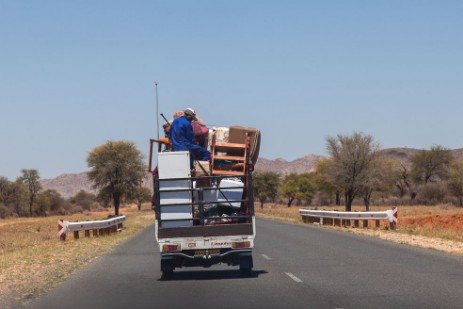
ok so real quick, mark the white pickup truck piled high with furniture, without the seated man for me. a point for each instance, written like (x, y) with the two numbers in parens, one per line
(205, 215)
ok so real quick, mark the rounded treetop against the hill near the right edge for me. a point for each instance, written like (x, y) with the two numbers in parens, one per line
(431, 165)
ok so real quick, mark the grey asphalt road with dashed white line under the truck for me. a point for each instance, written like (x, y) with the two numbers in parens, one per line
(295, 266)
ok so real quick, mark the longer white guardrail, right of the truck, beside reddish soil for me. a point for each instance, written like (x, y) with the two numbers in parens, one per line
(390, 215)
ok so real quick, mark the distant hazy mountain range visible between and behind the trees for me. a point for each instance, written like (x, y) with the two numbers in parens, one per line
(70, 184)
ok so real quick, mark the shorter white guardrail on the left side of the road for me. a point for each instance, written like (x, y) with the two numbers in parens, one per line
(99, 227)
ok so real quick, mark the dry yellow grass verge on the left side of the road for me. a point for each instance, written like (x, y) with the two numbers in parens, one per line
(33, 260)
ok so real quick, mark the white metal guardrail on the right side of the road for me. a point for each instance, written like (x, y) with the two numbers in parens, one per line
(343, 218)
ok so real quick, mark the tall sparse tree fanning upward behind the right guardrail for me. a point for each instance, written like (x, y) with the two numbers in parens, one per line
(352, 158)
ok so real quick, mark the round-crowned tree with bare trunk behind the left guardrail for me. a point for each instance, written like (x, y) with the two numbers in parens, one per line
(116, 168)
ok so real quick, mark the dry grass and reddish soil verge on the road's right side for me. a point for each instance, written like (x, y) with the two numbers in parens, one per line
(437, 227)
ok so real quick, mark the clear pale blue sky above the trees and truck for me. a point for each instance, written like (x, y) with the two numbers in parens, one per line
(75, 74)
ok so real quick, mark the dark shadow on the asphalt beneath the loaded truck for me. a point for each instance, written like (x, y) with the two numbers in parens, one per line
(210, 275)
